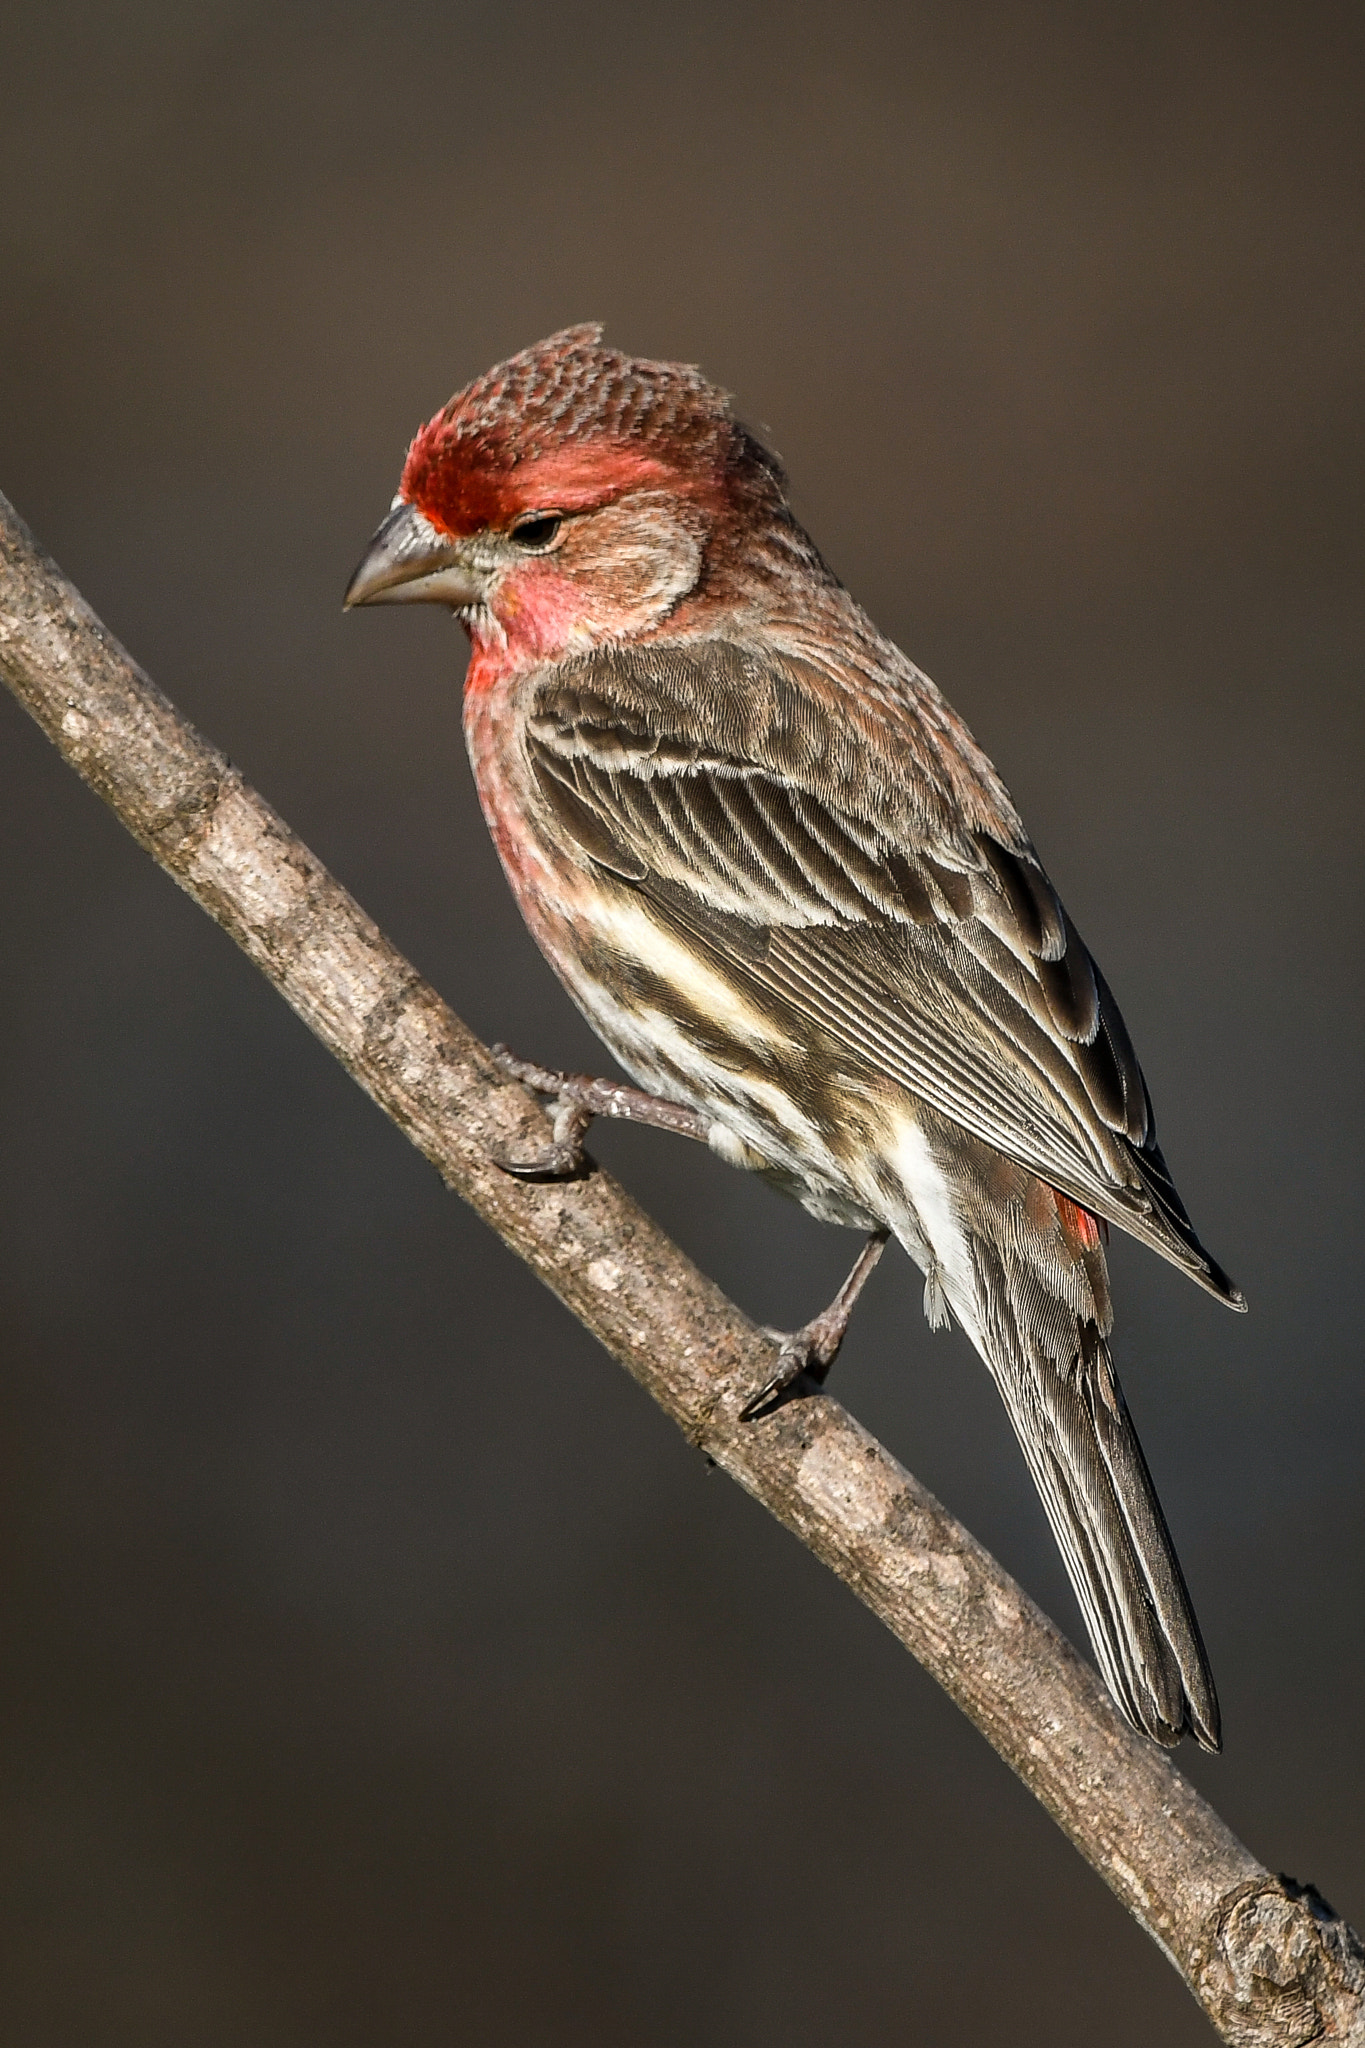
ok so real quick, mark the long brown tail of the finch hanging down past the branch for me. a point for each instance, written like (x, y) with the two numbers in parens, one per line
(1061, 1392)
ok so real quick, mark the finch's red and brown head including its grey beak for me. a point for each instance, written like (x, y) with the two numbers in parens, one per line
(570, 497)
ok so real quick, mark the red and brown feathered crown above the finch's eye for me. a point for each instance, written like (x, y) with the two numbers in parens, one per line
(572, 425)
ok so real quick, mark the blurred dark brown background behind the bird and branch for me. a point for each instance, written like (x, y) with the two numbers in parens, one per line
(380, 1666)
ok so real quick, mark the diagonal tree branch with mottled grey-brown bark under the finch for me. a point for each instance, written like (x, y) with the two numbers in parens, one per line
(1268, 1959)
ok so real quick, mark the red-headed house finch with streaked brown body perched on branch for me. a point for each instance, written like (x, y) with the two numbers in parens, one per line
(793, 896)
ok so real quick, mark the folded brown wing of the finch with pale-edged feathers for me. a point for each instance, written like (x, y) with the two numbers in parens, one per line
(928, 947)
